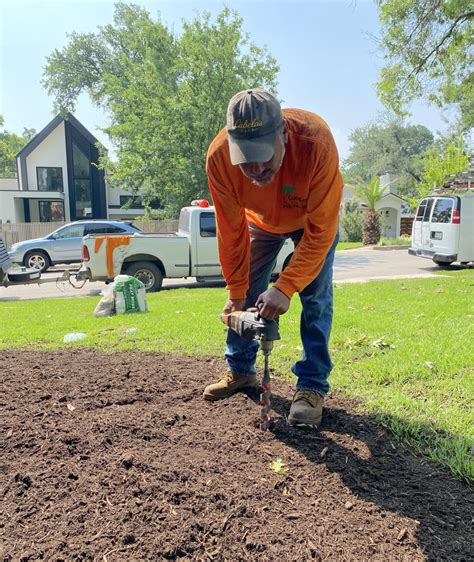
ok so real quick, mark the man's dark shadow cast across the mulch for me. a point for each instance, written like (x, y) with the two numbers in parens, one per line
(389, 475)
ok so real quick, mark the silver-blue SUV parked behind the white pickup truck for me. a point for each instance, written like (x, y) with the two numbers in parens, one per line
(64, 245)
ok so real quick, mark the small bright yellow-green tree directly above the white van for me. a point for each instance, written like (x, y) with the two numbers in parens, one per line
(443, 159)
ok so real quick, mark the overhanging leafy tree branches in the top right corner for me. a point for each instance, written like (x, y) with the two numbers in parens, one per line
(428, 48)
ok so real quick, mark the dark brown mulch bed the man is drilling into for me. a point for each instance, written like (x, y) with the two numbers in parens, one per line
(117, 457)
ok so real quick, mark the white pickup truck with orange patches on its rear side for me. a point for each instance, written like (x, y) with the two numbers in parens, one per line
(191, 252)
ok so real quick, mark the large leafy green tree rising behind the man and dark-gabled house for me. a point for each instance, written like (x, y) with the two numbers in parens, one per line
(166, 96)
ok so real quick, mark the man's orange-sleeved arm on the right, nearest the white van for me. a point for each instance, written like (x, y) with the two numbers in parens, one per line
(321, 225)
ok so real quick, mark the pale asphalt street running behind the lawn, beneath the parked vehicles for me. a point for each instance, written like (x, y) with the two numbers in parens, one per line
(350, 266)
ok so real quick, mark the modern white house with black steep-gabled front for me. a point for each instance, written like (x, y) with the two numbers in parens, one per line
(58, 179)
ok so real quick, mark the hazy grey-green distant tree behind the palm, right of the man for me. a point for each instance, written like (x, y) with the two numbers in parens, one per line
(393, 148)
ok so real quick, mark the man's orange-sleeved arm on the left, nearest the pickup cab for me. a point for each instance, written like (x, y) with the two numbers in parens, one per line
(233, 240)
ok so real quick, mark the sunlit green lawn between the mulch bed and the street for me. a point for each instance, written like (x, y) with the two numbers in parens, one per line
(403, 347)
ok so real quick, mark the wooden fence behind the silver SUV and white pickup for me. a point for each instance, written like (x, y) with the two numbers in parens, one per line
(12, 233)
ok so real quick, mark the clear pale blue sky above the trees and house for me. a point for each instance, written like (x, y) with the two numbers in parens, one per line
(327, 52)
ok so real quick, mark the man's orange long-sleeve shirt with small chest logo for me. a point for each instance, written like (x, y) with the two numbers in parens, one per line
(305, 193)
